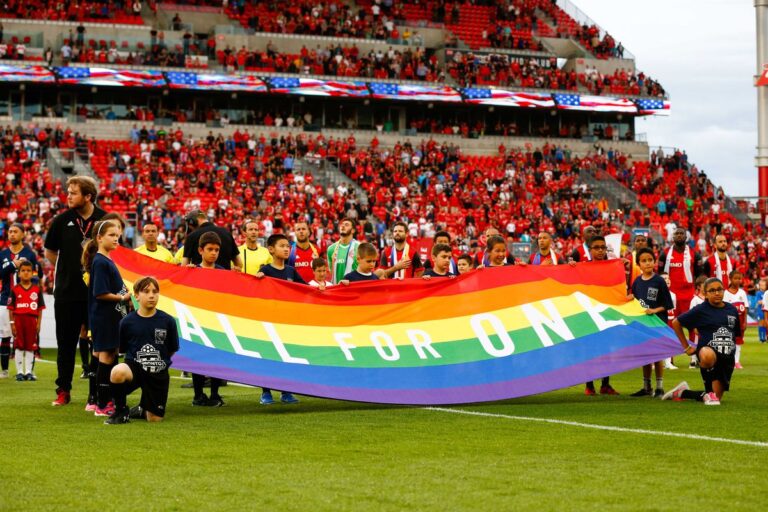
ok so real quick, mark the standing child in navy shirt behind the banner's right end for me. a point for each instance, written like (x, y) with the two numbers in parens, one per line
(653, 294)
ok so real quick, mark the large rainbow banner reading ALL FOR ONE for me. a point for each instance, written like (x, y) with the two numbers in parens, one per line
(488, 335)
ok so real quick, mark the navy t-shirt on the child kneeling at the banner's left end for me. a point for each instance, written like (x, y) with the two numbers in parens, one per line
(149, 341)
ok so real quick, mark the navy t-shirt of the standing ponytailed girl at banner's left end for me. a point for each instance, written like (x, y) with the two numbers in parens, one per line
(105, 278)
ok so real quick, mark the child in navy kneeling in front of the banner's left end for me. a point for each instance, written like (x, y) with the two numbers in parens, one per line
(150, 338)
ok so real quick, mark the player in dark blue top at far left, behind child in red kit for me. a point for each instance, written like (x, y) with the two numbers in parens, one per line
(10, 259)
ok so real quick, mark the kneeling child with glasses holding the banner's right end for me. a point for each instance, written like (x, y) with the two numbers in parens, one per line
(717, 323)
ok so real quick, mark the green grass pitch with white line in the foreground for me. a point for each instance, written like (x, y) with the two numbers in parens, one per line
(328, 455)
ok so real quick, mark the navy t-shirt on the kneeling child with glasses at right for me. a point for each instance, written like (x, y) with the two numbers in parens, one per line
(718, 328)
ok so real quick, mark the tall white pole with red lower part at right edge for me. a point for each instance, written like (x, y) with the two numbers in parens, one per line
(761, 17)
